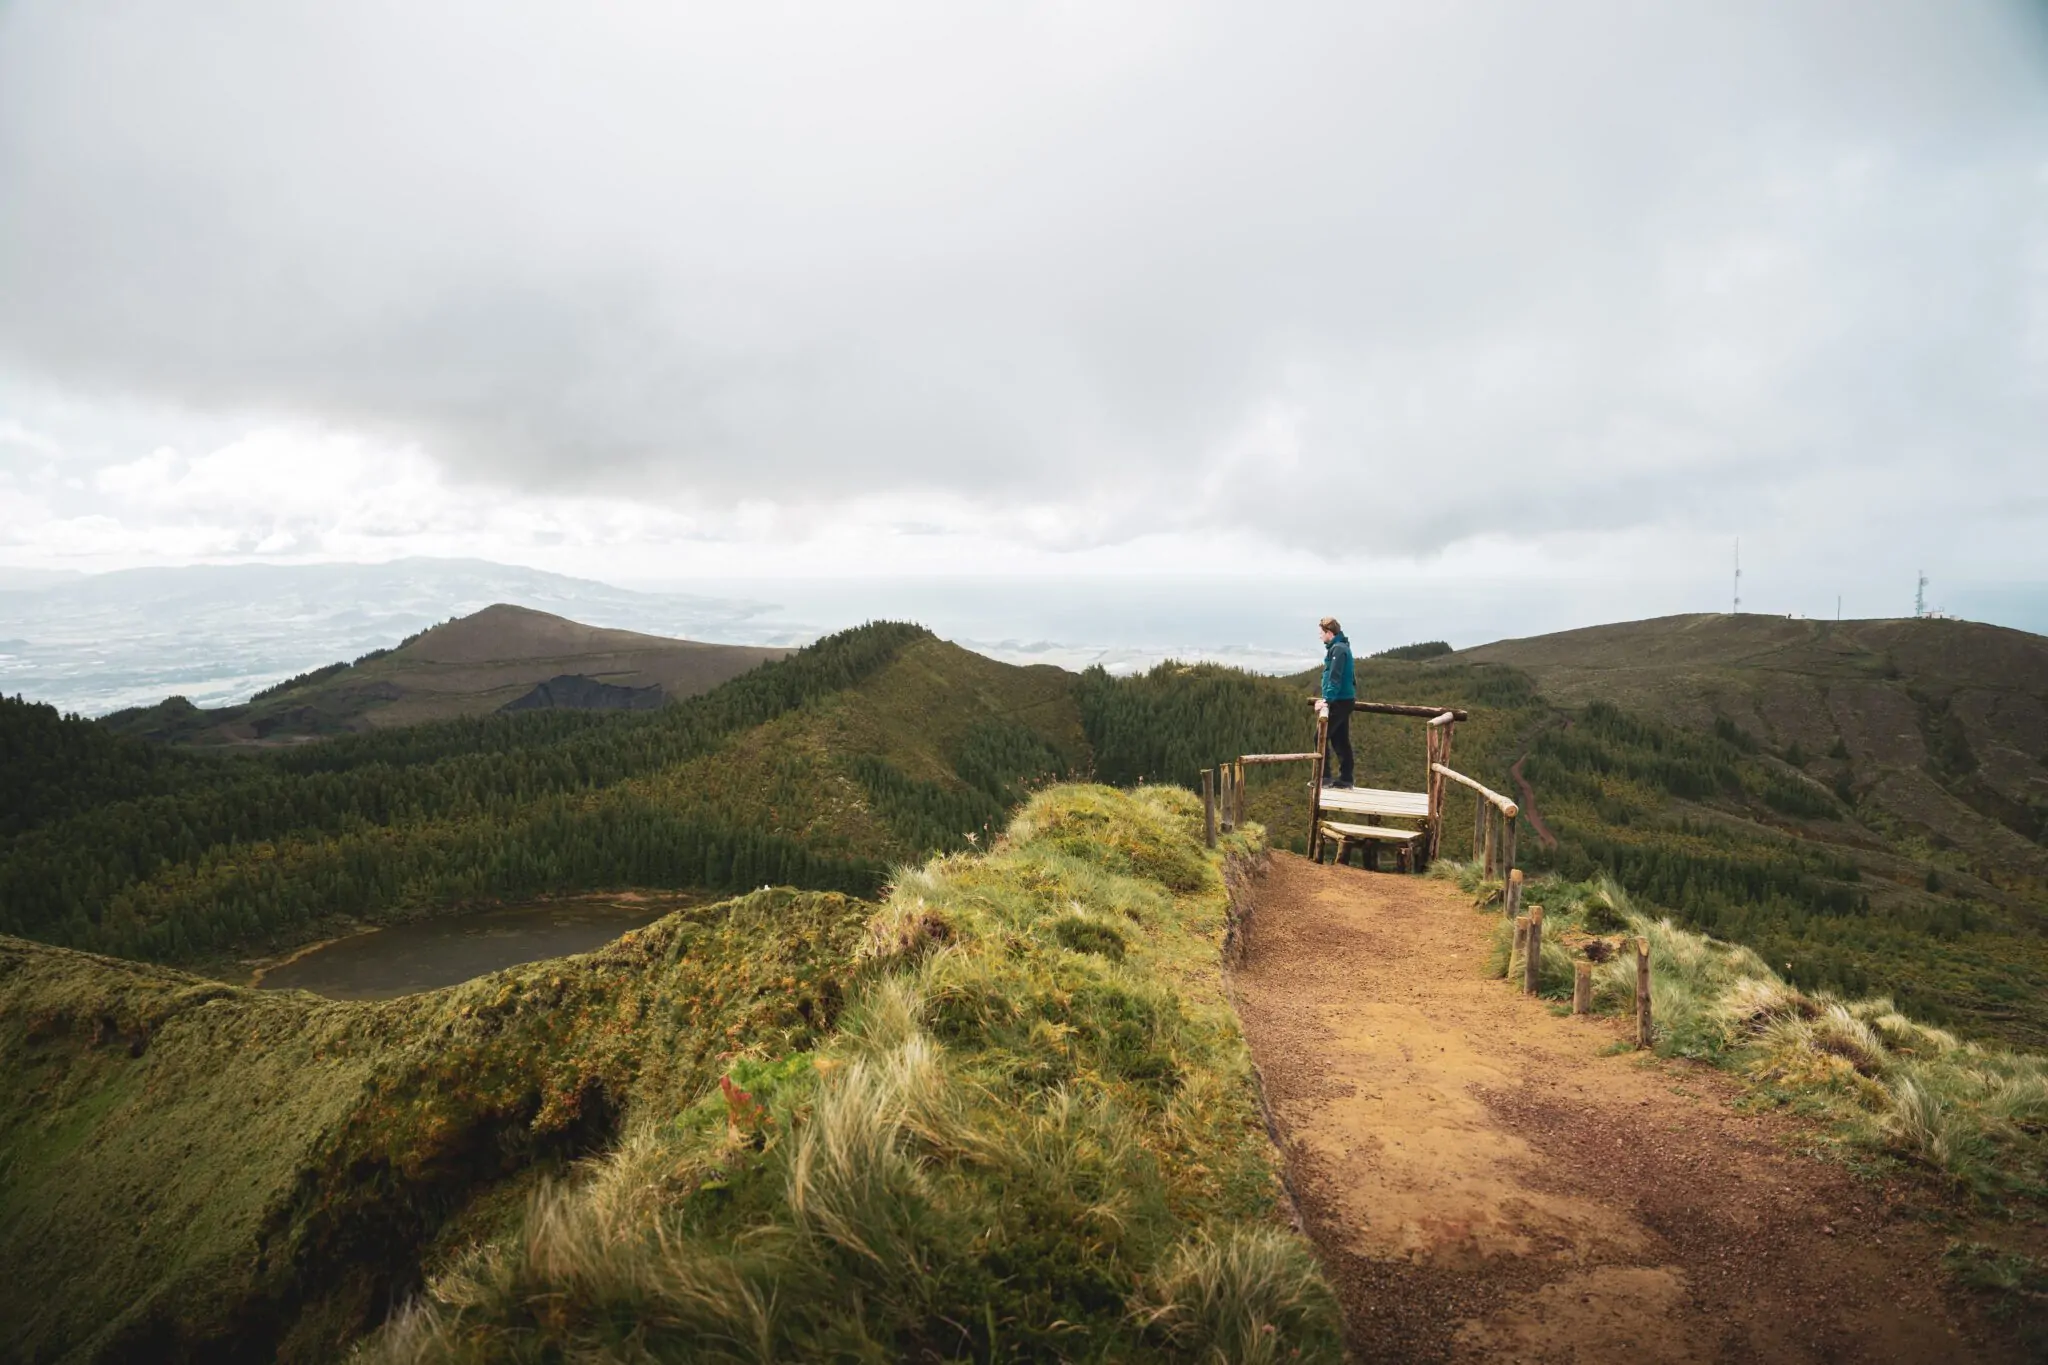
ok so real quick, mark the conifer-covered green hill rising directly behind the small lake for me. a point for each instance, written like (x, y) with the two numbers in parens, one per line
(869, 748)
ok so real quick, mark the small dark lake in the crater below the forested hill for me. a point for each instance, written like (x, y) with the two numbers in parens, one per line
(441, 953)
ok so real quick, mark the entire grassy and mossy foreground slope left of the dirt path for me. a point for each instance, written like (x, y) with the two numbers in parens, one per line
(1005, 1114)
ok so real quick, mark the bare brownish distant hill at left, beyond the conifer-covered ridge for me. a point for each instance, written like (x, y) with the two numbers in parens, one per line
(493, 660)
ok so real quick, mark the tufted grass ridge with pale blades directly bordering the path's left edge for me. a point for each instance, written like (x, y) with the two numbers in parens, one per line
(1031, 1137)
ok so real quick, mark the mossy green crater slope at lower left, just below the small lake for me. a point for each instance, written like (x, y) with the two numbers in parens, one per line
(214, 1174)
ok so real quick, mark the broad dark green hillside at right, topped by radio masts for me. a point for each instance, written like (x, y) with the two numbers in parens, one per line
(1865, 803)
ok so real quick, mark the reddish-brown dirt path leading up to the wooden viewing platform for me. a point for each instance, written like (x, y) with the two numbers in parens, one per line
(1486, 1186)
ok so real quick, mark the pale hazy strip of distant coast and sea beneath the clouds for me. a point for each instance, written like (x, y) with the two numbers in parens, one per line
(218, 633)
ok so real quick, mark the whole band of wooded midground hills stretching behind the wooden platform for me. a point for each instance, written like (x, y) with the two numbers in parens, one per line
(884, 746)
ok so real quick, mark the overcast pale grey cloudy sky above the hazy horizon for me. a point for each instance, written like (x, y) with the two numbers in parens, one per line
(1398, 294)
